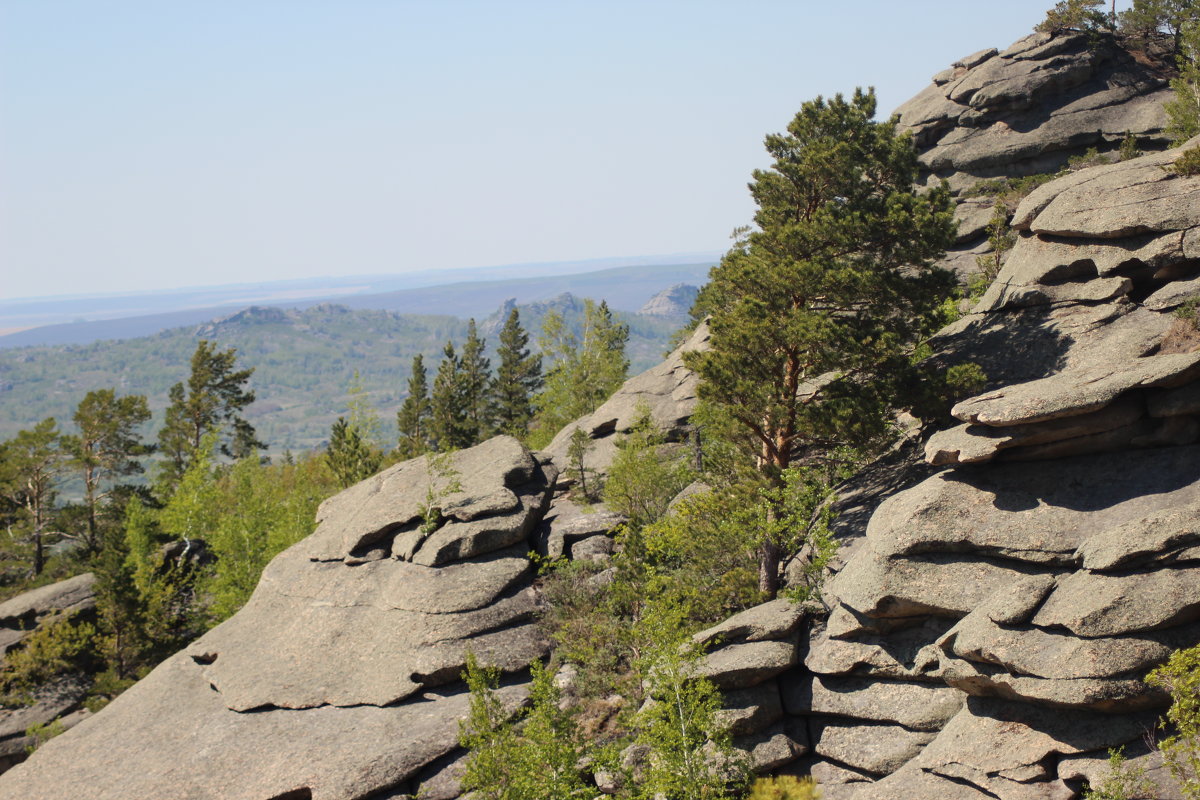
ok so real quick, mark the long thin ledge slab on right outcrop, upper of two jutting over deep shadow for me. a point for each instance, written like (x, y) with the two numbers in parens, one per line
(1073, 393)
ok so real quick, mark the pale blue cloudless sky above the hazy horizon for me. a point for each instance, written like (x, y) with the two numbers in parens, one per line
(153, 146)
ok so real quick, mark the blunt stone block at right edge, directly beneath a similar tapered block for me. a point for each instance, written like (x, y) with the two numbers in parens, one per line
(1095, 605)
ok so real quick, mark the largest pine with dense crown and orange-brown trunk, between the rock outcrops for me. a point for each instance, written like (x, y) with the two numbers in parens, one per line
(814, 315)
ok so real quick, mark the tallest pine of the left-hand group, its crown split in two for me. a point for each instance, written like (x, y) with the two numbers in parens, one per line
(213, 400)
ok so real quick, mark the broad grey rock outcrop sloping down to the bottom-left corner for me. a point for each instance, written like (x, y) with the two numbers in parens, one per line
(341, 676)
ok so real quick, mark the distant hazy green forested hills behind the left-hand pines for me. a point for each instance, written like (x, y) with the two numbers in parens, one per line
(304, 363)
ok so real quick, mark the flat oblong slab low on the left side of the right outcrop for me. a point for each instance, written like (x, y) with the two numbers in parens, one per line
(919, 707)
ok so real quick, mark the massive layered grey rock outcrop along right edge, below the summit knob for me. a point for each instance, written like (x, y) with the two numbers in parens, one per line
(989, 636)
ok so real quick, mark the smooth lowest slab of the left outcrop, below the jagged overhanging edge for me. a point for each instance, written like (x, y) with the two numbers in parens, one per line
(175, 739)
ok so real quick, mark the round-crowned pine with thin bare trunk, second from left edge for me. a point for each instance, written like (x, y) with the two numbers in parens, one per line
(106, 448)
